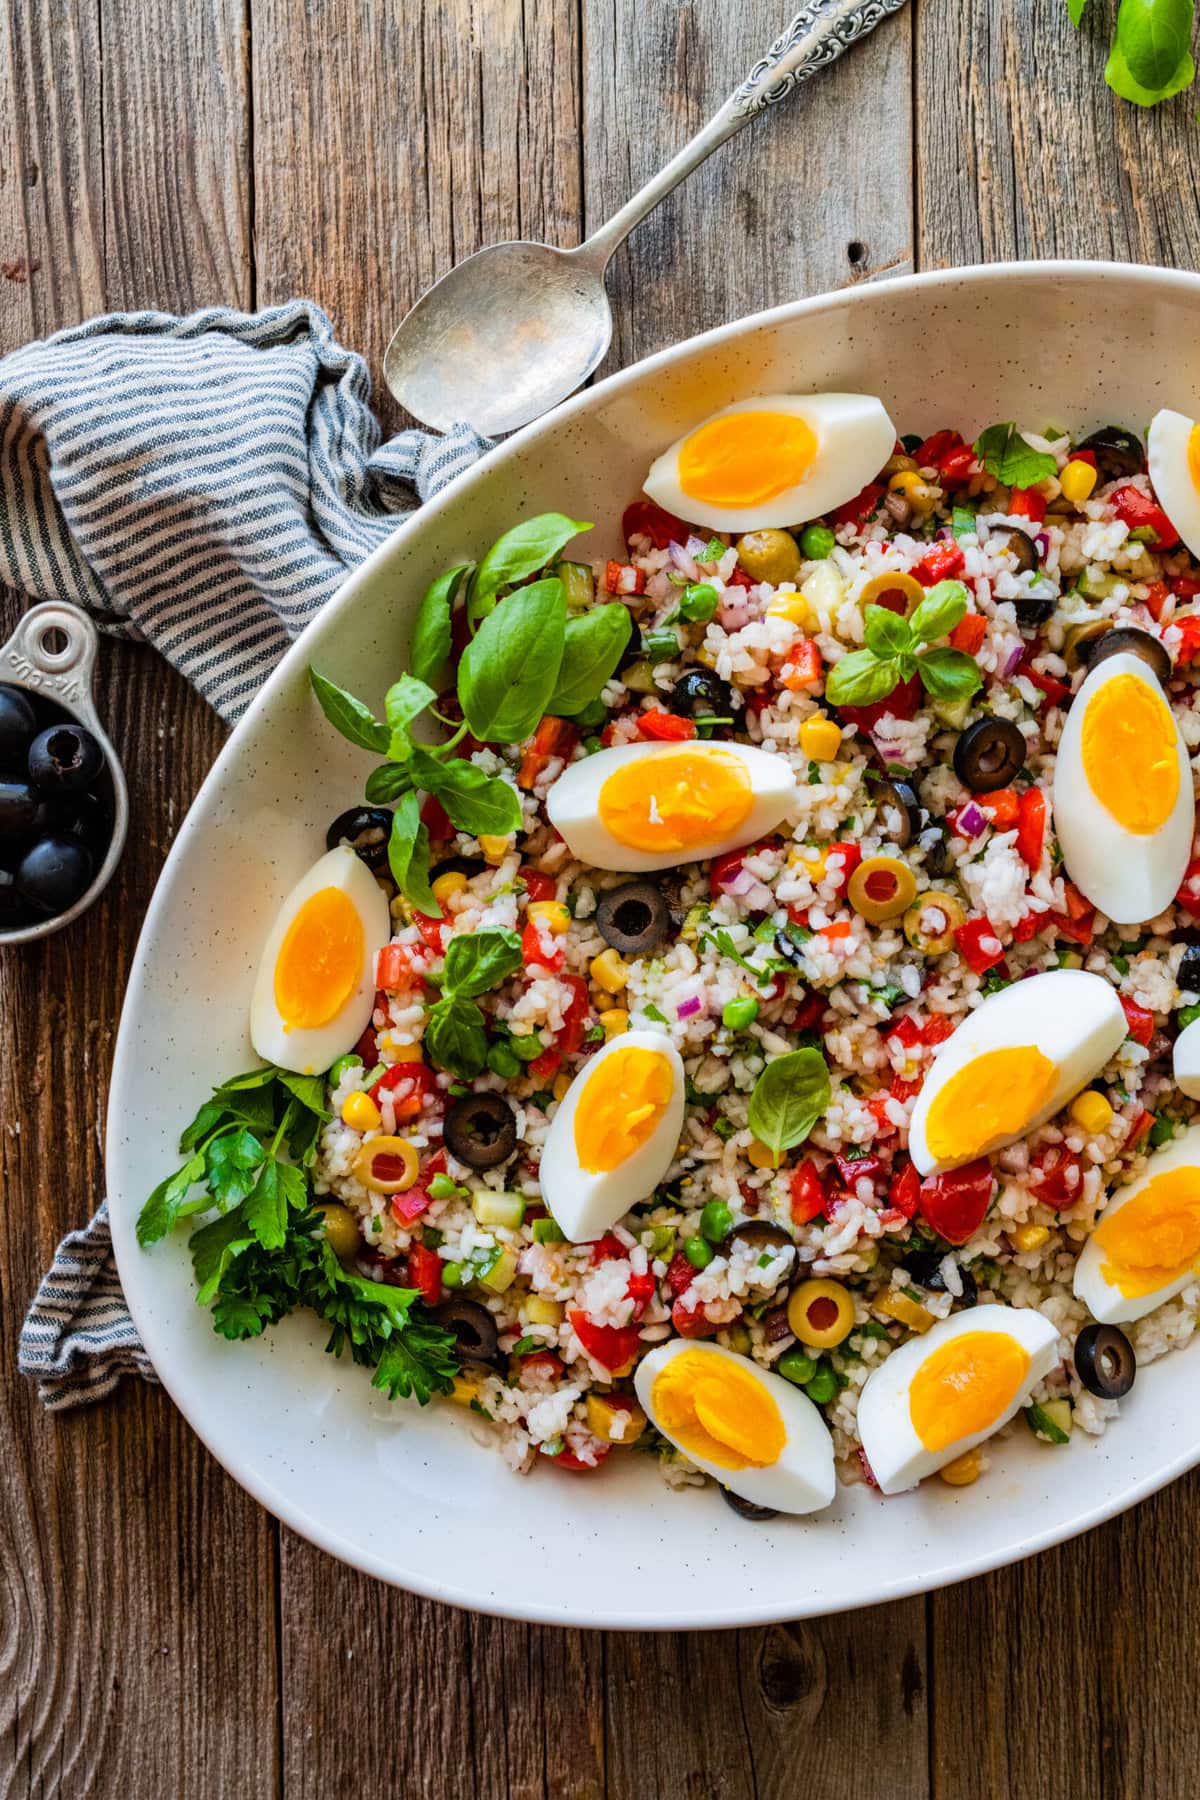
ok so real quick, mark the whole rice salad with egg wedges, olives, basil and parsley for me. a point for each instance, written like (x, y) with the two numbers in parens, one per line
(818, 1106)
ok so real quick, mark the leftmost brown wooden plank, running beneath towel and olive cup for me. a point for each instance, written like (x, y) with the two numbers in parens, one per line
(138, 1648)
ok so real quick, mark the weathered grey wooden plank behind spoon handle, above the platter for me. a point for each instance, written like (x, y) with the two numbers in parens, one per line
(800, 202)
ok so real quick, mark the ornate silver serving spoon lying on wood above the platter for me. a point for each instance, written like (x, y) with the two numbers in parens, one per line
(519, 327)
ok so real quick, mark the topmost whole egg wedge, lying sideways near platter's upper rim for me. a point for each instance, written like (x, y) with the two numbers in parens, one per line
(775, 462)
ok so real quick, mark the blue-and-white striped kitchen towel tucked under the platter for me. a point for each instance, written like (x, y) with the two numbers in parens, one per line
(204, 483)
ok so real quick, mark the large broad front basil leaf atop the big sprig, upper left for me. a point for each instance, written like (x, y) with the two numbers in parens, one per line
(510, 669)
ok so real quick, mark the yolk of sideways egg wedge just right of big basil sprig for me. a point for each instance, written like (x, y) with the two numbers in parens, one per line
(677, 800)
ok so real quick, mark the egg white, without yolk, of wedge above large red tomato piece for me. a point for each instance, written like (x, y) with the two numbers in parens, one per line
(1071, 1016)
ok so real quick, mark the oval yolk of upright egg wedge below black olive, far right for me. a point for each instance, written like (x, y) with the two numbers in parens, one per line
(1129, 753)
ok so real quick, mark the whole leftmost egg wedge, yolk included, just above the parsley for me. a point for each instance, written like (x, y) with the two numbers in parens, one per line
(316, 985)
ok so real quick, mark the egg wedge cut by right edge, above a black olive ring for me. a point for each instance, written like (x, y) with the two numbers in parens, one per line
(1147, 1245)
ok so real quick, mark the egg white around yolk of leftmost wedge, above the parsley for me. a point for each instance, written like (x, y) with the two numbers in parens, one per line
(307, 1052)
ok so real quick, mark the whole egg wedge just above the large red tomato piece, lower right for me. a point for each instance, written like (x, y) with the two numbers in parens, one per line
(1012, 1065)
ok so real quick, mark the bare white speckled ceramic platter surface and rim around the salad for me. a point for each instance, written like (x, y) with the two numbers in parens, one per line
(409, 1495)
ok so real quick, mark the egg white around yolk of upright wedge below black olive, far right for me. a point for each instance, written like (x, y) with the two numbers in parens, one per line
(1127, 876)
